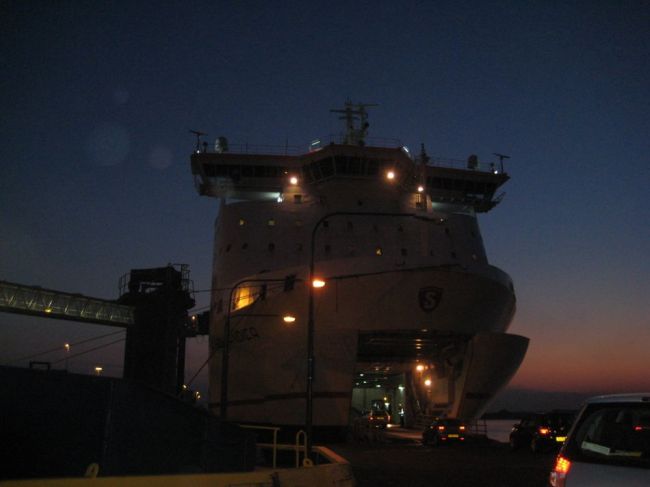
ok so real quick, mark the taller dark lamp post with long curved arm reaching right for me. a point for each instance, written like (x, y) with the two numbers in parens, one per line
(309, 409)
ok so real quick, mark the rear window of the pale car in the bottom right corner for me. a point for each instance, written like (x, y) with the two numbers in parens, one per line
(617, 434)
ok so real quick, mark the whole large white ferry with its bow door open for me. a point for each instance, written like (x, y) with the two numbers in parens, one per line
(352, 277)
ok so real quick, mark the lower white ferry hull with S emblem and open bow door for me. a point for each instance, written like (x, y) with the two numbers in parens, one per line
(449, 321)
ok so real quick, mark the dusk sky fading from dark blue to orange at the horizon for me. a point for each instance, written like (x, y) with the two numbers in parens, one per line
(97, 100)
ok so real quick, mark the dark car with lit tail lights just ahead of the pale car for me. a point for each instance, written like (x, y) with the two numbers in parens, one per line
(541, 432)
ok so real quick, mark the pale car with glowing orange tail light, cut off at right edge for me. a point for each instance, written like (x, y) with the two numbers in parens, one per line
(609, 444)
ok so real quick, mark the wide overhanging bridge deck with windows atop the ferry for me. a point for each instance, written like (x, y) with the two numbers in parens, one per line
(249, 174)
